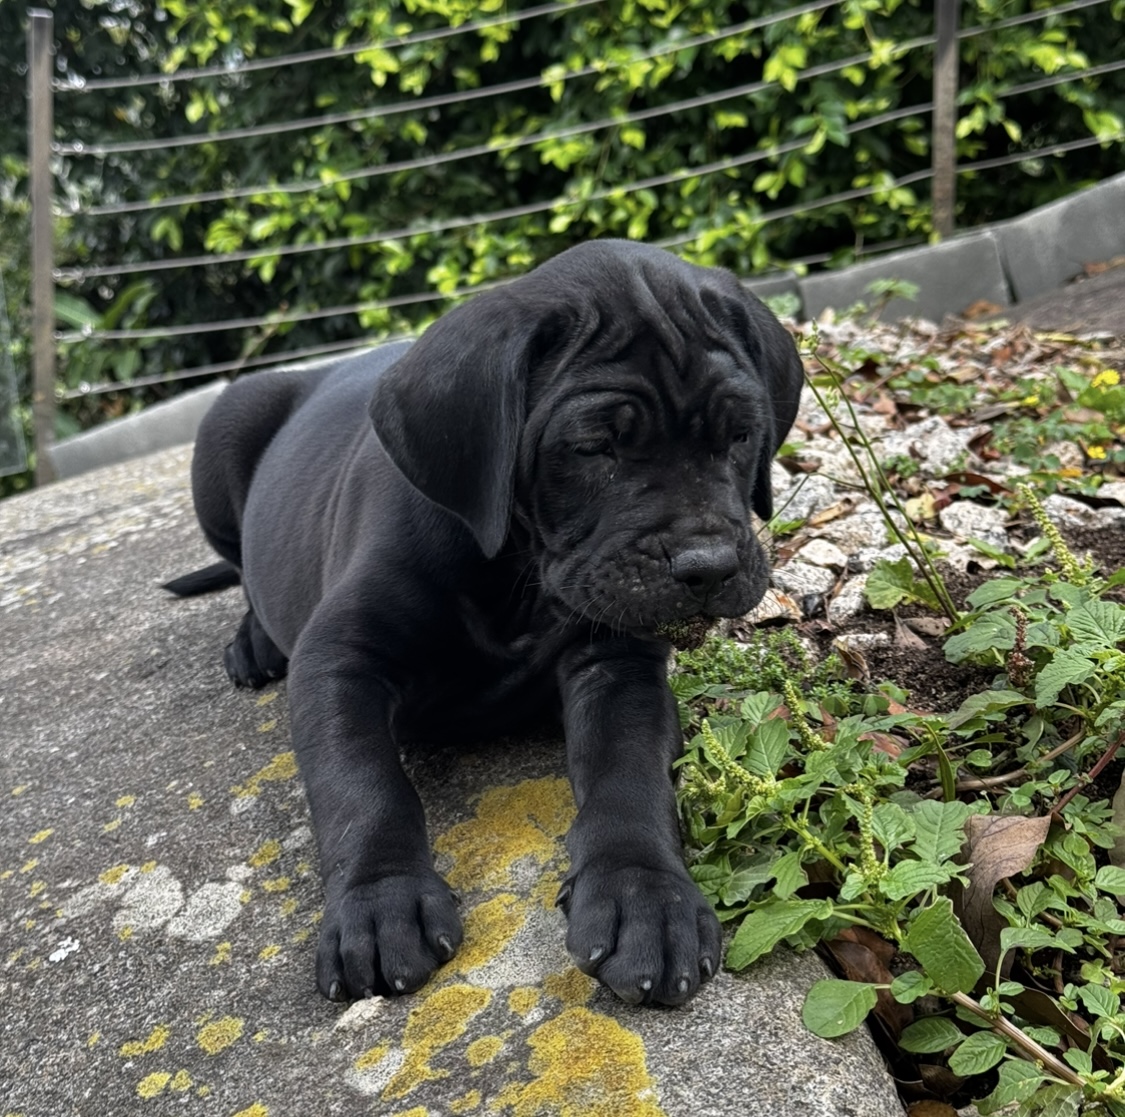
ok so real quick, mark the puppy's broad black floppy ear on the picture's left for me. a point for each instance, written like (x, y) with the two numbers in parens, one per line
(451, 412)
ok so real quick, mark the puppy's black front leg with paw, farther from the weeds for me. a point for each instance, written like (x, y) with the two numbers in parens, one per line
(390, 920)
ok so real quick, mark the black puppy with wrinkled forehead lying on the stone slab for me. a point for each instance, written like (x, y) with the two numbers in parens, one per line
(471, 529)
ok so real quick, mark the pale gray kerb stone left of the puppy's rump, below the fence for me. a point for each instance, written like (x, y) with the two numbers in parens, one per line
(172, 424)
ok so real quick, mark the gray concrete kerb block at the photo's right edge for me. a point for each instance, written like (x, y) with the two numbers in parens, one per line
(1049, 247)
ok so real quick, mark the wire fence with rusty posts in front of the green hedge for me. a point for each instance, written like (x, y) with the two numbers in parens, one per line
(55, 164)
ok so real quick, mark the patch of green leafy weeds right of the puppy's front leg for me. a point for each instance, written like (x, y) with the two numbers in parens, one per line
(971, 843)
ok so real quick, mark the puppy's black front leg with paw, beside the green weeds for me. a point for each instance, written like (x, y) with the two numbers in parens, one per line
(637, 921)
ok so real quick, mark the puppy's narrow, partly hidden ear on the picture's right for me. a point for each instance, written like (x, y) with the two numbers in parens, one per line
(776, 356)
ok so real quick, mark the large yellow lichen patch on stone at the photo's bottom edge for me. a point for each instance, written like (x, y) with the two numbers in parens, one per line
(584, 1066)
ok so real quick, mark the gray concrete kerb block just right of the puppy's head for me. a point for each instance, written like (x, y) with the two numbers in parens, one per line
(951, 277)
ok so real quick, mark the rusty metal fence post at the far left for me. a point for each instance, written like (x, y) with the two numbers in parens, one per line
(41, 129)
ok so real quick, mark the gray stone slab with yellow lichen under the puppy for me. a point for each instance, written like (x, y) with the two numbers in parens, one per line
(159, 900)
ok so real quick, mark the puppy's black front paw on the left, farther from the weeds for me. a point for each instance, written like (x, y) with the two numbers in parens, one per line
(386, 938)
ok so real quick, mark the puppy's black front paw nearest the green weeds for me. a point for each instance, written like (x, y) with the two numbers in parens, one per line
(647, 934)
